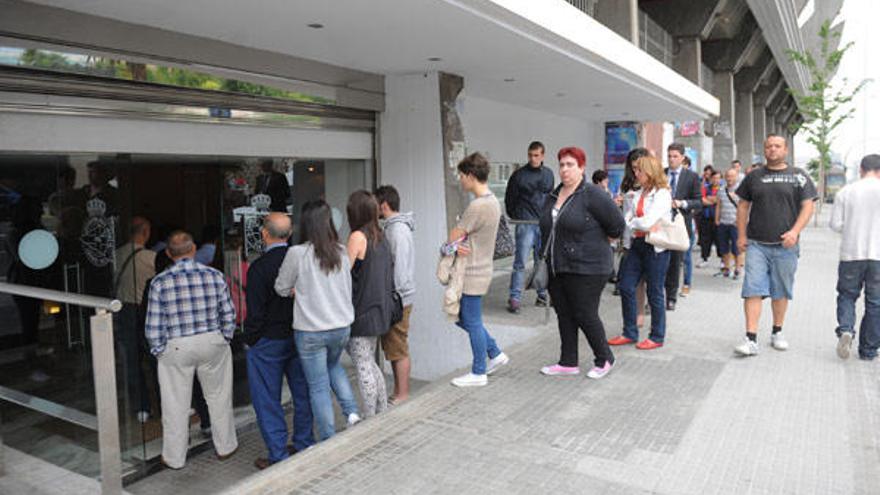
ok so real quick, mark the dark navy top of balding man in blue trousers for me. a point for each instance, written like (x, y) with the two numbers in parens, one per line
(268, 314)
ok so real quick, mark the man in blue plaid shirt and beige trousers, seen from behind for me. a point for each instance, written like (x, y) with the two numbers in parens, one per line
(190, 321)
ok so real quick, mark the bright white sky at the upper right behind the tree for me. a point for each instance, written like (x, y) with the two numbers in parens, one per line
(859, 135)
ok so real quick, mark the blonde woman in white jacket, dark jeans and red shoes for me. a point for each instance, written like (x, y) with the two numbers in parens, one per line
(653, 202)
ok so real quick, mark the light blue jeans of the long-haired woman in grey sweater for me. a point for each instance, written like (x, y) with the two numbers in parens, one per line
(319, 353)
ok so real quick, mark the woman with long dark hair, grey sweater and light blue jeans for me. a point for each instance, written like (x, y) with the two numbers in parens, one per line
(315, 272)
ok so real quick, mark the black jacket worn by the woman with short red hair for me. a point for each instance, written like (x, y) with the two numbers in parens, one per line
(585, 222)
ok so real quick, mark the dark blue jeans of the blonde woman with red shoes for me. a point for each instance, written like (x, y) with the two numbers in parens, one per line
(641, 261)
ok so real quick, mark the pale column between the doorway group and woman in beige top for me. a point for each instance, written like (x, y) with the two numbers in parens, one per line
(412, 158)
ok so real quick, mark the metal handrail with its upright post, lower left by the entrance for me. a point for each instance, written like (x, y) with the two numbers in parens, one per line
(104, 375)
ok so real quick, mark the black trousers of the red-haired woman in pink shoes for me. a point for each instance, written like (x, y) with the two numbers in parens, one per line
(576, 301)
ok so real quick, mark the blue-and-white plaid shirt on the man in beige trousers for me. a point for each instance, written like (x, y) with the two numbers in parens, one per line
(187, 299)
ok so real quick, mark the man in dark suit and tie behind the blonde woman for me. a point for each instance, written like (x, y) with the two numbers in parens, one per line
(687, 199)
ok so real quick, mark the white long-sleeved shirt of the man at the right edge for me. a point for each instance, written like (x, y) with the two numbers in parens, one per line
(855, 214)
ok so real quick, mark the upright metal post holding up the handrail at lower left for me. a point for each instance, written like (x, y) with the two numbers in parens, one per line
(104, 367)
